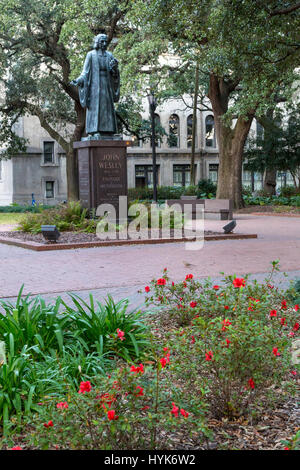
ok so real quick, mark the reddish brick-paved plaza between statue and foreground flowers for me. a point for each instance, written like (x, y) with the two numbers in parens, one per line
(123, 270)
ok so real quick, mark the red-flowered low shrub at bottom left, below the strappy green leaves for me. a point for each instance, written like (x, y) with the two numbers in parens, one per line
(134, 408)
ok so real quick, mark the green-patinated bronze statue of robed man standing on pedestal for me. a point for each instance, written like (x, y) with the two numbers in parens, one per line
(99, 89)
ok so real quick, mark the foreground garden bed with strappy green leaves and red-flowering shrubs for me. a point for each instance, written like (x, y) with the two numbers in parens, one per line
(210, 368)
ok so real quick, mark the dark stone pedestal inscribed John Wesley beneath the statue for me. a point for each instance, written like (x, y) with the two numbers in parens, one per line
(102, 169)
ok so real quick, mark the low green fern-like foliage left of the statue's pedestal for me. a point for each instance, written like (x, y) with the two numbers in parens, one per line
(67, 217)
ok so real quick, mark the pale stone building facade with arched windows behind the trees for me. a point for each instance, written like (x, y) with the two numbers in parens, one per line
(40, 174)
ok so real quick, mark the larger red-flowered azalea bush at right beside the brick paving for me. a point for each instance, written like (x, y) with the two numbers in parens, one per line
(235, 344)
